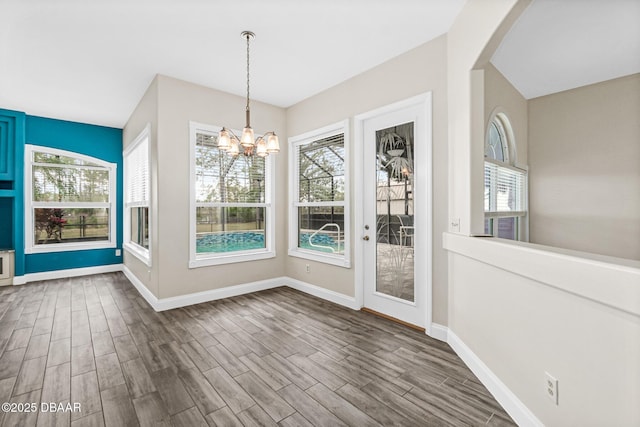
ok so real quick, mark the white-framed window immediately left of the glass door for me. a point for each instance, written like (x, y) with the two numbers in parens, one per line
(319, 216)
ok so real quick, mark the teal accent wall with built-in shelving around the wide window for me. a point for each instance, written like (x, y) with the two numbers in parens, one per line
(18, 129)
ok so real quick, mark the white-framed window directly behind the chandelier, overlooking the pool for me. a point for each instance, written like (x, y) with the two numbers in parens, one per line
(231, 210)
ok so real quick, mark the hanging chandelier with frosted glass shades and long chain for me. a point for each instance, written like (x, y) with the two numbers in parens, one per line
(249, 145)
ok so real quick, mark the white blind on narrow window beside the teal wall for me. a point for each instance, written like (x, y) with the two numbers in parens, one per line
(137, 174)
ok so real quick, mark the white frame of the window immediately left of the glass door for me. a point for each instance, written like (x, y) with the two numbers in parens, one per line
(344, 259)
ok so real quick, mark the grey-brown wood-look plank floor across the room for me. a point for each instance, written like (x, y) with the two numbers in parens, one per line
(272, 358)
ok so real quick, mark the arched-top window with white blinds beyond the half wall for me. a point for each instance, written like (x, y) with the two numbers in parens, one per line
(505, 186)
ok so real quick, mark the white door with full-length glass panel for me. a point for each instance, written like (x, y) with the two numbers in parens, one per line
(392, 233)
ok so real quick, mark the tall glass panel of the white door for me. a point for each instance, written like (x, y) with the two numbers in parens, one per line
(394, 211)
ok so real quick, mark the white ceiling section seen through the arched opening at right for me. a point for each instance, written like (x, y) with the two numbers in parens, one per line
(558, 45)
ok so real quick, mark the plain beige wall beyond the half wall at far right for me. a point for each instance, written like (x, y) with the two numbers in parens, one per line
(584, 157)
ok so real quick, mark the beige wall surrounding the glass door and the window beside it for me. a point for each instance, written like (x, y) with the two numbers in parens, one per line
(418, 71)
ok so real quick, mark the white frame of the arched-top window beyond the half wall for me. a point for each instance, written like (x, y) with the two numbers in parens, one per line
(505, 130)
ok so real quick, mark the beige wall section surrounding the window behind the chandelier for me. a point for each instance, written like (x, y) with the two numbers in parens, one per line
(178, 103)
